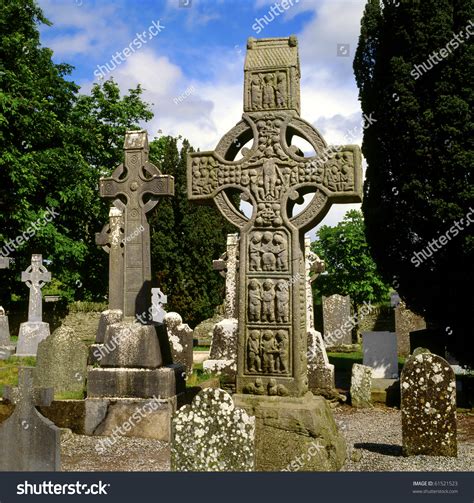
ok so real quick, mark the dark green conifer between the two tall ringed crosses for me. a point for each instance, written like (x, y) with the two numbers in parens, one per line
(186, 238)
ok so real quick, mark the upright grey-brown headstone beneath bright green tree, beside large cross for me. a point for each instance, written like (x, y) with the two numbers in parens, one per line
(336, 320)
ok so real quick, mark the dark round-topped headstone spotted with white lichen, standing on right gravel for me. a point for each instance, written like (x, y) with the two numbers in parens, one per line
(428, 389)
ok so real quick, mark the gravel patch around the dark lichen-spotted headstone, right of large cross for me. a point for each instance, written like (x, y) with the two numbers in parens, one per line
(374, 440)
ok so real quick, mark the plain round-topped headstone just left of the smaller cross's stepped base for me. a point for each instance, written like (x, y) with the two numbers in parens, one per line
(61, 362)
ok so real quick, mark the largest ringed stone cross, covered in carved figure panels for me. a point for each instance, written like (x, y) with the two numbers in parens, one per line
(273, 175)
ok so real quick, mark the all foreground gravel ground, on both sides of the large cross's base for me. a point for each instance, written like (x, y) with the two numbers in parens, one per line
(374, 439)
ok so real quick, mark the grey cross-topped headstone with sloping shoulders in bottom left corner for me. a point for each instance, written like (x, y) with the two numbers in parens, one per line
(29, 441)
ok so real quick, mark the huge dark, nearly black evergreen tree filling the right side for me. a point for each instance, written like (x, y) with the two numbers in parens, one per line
(414, 67)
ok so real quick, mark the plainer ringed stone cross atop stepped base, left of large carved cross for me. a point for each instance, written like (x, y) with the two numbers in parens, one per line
(135, 187)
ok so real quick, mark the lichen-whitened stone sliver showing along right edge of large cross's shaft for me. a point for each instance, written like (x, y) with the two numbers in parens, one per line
(321, 377)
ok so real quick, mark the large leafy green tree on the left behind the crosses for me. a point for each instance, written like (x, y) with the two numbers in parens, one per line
(55, 145)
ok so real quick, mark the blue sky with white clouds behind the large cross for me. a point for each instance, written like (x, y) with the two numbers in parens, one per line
(192, 67)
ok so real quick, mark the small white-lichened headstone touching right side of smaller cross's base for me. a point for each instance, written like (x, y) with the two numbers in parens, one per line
(180, 337)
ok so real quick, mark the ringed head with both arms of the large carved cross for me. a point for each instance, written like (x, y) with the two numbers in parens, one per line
(268, 175)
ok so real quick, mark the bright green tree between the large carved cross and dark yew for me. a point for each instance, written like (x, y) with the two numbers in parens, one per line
(349, 265)
